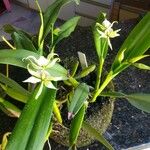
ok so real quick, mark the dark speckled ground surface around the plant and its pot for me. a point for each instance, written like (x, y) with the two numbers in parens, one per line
(129, 126)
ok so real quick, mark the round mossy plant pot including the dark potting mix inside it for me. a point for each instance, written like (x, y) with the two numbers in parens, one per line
(99, 116)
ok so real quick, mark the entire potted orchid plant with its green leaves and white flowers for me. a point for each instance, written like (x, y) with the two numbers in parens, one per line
(42, 108)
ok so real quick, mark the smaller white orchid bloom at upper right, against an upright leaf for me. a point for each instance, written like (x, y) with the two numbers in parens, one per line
(106, 31)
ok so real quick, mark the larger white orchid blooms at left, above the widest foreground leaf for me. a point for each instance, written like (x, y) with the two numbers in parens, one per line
(37, 69)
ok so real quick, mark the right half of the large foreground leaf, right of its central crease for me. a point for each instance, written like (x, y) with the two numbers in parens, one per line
(42, 122)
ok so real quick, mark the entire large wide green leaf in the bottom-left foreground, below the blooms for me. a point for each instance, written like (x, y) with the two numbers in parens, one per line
(32, 126)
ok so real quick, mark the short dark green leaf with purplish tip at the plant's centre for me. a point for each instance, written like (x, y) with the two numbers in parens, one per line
(78, 99)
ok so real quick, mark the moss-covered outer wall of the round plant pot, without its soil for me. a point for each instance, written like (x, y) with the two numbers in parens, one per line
(100, 120)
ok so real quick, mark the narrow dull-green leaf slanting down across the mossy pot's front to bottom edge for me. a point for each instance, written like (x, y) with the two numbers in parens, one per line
(94, 133)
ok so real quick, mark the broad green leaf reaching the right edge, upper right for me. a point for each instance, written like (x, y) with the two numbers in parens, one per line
(137, 43)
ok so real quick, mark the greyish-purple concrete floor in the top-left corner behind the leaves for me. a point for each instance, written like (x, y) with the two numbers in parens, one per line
(20, 17)
